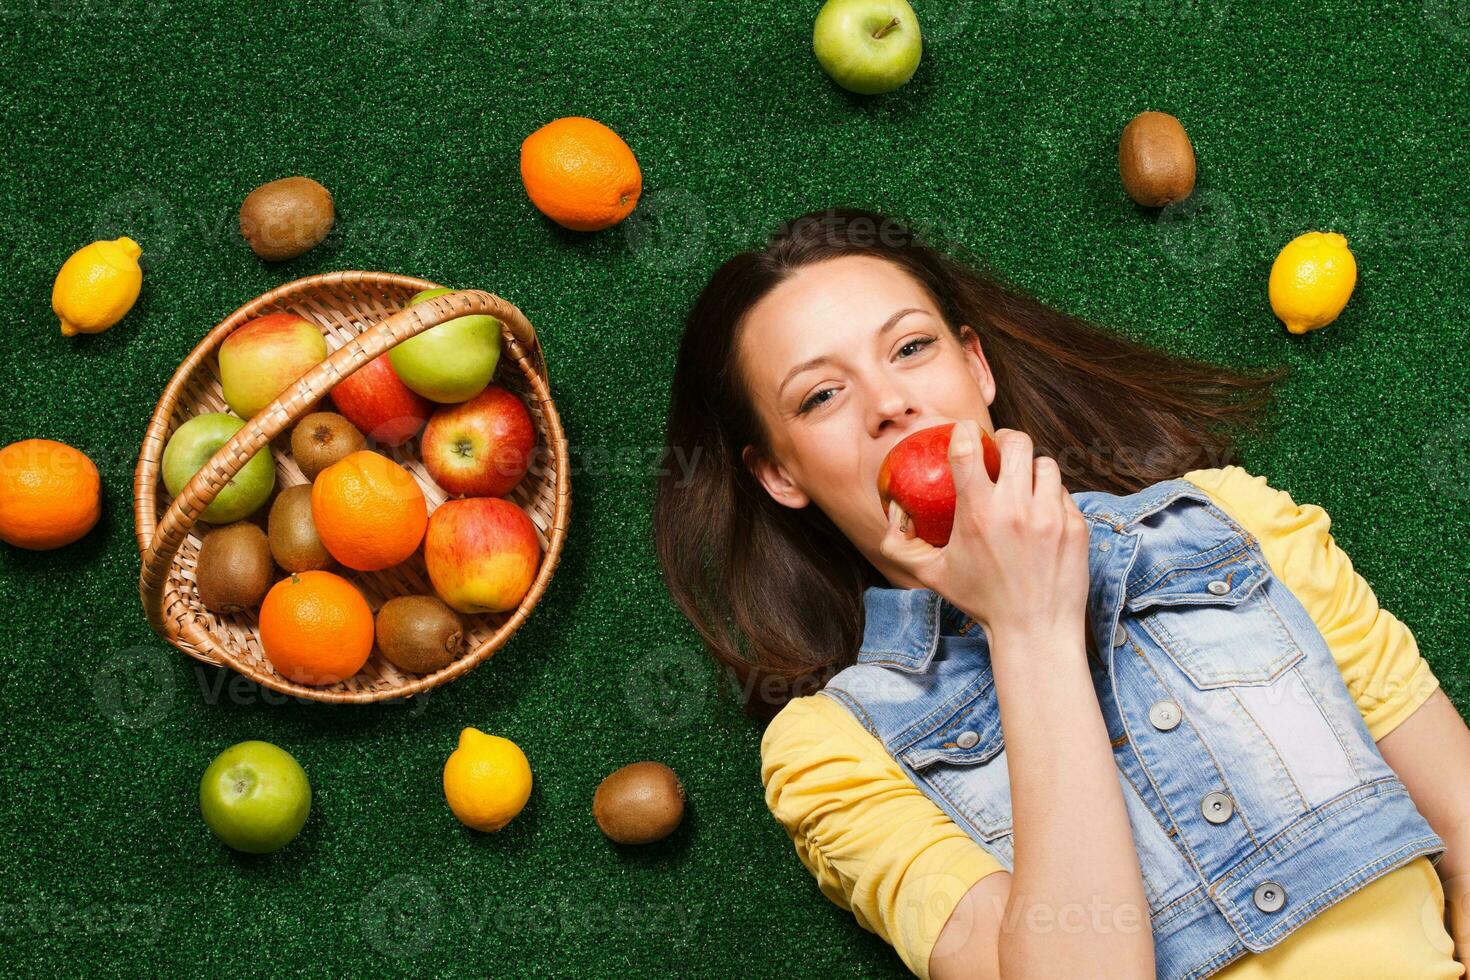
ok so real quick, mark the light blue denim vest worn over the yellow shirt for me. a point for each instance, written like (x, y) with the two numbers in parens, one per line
(1255, 793)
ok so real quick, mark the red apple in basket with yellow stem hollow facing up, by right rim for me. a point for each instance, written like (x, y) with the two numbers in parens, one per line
(480, 447)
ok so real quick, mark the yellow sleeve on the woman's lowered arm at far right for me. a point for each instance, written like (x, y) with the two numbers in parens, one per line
(1375, 652)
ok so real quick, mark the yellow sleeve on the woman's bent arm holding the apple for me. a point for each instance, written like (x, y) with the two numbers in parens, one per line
(877, 846)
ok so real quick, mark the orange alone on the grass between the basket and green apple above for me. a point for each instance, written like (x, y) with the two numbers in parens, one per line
(580, 174)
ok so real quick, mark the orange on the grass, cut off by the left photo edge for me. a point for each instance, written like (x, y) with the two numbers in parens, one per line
(51, 494)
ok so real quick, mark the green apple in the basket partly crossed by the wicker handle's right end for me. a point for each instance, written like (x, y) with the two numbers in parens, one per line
(452, 362)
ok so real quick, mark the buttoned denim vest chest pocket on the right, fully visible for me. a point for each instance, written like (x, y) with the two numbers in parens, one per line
(1212, 618)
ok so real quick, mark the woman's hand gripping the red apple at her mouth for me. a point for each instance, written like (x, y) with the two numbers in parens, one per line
(1018, 556)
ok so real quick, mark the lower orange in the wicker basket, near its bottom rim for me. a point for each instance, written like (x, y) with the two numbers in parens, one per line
(317, 628)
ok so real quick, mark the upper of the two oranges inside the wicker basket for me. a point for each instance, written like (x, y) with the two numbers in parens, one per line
(368, 511)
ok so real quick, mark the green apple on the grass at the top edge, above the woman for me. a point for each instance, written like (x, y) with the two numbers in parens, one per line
(868, 46)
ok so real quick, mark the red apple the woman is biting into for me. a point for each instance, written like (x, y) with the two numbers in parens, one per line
(917, 474)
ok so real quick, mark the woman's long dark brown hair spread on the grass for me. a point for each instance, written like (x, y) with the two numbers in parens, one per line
(777, 594)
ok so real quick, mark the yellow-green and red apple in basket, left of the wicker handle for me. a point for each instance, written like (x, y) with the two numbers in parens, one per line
(267, 356)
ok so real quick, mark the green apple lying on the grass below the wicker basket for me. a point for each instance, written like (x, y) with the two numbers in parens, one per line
(255, 797)
